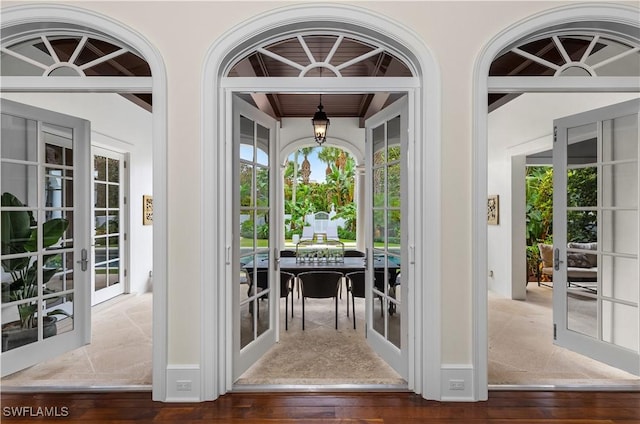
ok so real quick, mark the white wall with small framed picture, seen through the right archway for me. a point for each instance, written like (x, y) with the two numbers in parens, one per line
(521, 127)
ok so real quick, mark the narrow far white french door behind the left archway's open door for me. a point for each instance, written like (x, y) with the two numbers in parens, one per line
(109, 224)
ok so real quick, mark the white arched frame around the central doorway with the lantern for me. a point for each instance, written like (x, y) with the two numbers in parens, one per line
(424, 134)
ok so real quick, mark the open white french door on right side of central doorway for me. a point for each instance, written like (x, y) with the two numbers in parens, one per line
(386, 232)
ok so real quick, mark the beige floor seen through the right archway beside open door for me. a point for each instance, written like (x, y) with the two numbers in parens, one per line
(521, 349)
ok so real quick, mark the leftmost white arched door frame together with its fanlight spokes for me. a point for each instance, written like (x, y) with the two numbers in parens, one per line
(19, 23)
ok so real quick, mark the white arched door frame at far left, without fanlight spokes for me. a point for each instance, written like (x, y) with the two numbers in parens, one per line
(39, 16)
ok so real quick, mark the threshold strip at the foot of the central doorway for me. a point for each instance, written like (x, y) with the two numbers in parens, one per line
(315, 388)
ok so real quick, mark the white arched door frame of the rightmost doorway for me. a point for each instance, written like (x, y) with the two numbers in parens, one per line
(614, 15)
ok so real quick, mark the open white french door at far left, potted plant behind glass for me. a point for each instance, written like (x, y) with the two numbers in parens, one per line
(45, 221)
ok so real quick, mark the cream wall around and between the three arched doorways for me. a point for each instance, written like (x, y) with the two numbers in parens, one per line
(454, 32)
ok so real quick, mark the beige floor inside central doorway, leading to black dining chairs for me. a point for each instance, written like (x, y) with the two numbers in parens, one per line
(322, 355)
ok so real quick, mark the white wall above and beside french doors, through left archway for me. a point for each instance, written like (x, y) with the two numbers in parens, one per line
(119, 125)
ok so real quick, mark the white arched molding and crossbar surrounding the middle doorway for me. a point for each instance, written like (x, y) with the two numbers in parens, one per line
(217, 370)
